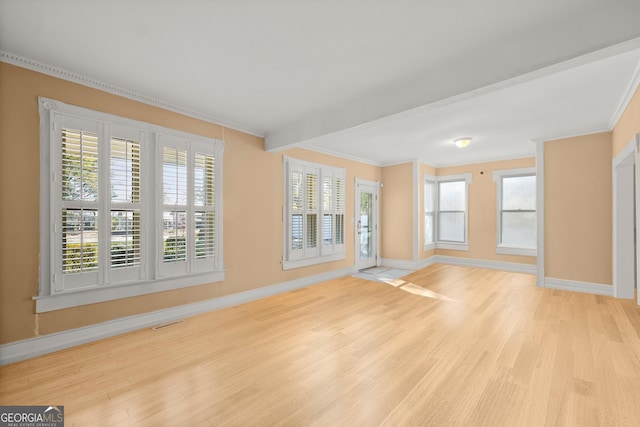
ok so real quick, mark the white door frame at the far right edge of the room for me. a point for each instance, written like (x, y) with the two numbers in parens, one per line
(626, 275)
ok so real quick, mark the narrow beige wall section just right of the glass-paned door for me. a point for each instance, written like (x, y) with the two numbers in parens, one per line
(396, 222)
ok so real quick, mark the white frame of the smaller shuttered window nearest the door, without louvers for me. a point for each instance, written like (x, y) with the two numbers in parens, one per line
(321, 253)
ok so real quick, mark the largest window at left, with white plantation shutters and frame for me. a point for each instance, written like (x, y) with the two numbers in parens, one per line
(107, 231)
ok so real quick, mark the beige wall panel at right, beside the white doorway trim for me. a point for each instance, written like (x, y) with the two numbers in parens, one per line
(578, 208)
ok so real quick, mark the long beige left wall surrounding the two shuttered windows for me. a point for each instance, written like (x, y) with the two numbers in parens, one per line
(253, 198)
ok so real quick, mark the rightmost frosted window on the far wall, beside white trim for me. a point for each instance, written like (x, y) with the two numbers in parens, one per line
(516, 219)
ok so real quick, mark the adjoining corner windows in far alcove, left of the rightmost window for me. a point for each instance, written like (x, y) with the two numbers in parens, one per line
(445, 212)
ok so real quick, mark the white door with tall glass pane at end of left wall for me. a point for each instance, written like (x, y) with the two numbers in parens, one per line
(366, 226)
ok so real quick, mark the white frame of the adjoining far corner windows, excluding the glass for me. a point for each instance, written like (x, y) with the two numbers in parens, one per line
(440, 244)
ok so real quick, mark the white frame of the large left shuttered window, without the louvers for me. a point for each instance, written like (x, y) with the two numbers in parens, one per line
(148, 277)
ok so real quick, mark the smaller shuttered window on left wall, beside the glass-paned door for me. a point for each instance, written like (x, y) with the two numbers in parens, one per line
(315, 213)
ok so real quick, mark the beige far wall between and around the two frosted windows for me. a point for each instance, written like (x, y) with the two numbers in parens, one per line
(482, 210)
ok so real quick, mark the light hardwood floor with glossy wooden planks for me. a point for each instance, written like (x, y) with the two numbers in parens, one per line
(474, 347)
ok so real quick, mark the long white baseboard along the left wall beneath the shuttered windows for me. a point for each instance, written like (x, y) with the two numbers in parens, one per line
(32, 347)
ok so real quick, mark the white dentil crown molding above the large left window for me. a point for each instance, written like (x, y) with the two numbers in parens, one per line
(33, 65)
